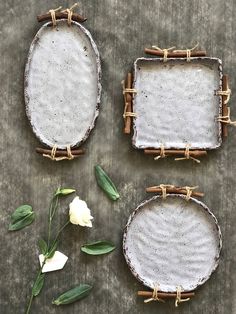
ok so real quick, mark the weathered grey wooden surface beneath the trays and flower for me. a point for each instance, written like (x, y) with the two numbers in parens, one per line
(121, 29)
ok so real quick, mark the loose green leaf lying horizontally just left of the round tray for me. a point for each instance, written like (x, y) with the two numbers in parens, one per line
(98, 248)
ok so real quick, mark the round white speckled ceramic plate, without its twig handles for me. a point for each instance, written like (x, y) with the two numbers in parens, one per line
(172, 243)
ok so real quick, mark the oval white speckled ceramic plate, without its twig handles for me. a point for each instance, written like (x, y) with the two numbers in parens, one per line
(62, 84)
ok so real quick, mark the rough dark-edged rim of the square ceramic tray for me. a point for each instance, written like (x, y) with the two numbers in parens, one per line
(160, 60)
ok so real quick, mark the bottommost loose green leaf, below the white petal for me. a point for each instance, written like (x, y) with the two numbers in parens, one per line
(73, 295)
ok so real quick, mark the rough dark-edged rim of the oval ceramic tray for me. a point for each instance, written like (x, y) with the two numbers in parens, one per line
(98, 74)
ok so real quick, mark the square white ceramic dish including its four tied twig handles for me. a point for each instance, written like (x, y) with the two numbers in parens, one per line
(178, 104)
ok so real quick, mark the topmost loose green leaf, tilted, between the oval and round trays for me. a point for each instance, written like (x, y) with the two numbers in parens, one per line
(106, 184)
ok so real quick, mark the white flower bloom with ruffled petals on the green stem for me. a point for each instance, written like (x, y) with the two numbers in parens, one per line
(80, 213)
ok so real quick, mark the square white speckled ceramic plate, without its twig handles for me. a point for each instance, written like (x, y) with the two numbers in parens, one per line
(176, 103)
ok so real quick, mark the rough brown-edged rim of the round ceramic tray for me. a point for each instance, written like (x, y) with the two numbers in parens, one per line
(153, 198)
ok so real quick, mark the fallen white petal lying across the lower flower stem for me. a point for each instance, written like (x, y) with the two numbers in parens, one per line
(57, 262)
